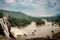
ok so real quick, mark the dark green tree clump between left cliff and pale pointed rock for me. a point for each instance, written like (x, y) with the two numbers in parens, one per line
(18, 22)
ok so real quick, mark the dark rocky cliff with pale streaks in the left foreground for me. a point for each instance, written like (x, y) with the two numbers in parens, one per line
(5, 27)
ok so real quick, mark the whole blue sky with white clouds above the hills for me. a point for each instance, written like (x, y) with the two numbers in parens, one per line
(37, 8)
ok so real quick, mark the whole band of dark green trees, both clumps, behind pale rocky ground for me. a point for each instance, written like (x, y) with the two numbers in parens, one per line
(23, 21)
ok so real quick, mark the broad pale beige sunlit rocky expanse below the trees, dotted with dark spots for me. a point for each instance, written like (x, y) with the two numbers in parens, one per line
(32, 31)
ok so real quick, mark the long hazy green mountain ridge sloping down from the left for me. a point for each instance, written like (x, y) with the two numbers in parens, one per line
(13, 13)
